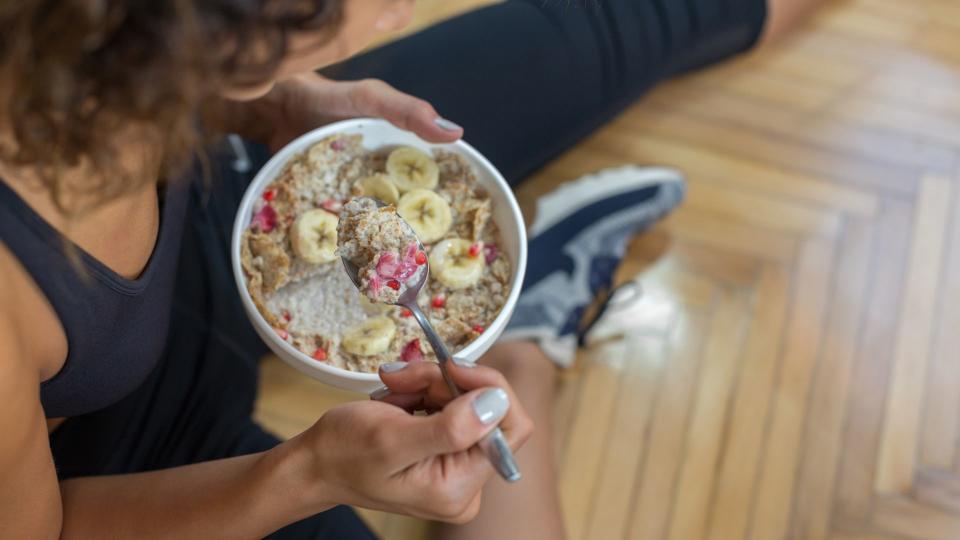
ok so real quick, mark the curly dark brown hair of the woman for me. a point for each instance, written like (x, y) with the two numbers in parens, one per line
(75, 72)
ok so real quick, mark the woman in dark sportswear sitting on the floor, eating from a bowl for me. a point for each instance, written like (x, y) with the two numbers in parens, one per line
(123, 348)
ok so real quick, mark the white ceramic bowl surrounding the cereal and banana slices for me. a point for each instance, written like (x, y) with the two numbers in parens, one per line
(377, 134)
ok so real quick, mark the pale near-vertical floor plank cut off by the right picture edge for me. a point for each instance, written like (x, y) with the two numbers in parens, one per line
(941, 426)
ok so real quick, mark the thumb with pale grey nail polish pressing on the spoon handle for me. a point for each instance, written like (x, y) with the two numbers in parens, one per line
(461, 424)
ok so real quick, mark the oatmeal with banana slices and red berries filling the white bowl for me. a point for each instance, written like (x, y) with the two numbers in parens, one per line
(290, 253)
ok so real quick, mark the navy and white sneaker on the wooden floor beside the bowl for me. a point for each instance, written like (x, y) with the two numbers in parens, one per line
(577, 240)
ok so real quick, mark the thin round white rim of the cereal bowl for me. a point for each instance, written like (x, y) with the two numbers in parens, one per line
(301, 143)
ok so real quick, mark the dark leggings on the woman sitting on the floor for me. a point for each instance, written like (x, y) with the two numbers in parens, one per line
(526, 78)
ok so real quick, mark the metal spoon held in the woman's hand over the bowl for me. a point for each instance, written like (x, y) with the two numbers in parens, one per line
(494, 444)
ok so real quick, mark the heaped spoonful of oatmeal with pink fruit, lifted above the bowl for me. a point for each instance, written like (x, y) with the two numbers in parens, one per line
(383, 247)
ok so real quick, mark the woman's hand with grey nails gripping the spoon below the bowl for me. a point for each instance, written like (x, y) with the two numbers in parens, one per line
(377, 455)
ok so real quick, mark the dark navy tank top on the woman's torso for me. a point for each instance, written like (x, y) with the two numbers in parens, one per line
(116, 328)
